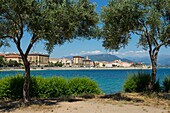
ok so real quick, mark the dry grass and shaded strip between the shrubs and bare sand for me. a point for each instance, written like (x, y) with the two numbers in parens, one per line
(161, 101)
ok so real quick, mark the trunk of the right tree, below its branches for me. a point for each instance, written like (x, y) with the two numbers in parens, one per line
(154, 68)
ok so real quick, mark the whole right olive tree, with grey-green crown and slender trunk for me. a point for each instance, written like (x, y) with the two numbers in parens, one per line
(148, 19)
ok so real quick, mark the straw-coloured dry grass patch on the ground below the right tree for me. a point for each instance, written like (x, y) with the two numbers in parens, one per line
(161, 100)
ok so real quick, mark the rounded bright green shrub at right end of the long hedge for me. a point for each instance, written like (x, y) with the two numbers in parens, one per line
(79, 86)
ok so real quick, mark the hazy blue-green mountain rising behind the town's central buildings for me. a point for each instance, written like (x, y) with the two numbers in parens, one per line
(104, 57)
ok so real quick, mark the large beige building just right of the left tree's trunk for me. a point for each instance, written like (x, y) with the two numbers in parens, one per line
(38, 59)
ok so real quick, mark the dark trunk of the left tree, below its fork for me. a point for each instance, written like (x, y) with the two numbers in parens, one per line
(26, 85)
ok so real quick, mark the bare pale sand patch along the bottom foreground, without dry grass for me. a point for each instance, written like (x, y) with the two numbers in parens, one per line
(89, 107)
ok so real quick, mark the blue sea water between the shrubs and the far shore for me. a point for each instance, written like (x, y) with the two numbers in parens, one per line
(110, 81)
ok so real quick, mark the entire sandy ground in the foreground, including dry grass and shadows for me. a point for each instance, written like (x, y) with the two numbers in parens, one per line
(117, 103)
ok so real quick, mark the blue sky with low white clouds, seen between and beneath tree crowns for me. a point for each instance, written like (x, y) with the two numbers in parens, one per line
(86, 47)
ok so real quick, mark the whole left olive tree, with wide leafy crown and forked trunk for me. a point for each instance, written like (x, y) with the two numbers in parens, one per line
(51, 21)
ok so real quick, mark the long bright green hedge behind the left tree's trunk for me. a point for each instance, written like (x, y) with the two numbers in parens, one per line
(11, 87)
